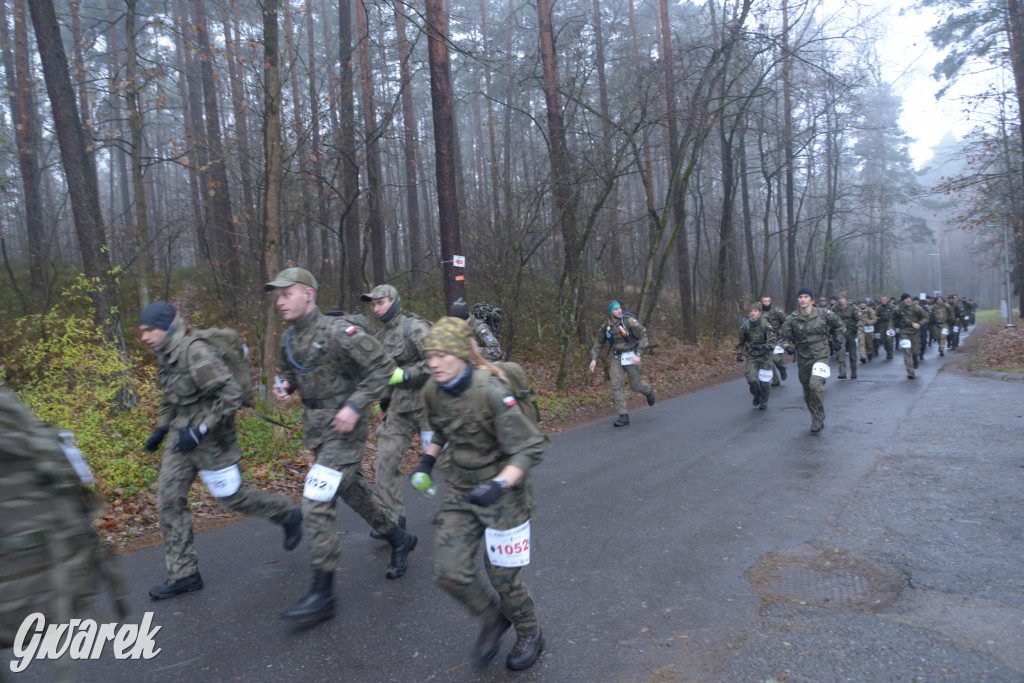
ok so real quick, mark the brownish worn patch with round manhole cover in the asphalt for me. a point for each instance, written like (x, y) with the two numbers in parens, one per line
(826, 579)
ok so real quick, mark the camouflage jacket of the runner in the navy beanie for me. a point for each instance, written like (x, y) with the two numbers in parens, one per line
(199, 388)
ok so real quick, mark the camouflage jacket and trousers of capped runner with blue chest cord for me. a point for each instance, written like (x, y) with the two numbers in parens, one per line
(332, 364)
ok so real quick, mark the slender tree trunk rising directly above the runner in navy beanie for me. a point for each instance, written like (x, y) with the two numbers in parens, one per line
(138, 182)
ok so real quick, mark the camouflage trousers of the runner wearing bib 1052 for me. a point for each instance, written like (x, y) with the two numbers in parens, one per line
(458, 539)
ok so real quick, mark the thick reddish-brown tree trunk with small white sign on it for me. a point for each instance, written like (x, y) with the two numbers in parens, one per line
(445, 162)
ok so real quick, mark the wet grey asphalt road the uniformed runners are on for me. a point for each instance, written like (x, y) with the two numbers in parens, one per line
(706, 542)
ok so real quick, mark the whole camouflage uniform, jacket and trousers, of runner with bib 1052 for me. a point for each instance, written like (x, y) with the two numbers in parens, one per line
(483, 441)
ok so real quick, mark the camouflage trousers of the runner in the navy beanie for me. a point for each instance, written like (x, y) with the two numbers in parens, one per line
(178, 473)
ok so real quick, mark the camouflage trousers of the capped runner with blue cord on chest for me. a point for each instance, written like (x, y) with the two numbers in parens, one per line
(320, 519)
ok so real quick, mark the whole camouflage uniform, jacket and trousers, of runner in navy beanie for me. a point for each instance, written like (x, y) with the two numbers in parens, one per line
(199, 389)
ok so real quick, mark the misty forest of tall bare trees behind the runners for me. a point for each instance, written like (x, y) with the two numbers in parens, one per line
(681, 157)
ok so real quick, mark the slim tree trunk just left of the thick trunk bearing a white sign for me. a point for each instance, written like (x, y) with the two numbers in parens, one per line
(411, 138)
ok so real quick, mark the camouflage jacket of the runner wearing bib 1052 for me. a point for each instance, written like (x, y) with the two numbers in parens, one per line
(481, 451)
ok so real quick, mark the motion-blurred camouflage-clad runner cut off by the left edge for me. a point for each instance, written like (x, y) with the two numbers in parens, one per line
(52, 560)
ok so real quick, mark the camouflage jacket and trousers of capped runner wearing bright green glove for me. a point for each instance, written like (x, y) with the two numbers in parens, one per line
(402, 338)
